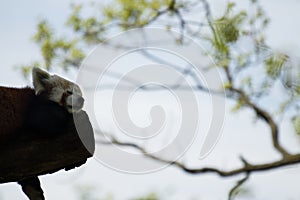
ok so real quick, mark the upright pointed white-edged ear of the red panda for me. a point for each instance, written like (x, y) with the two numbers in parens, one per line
(40, 79)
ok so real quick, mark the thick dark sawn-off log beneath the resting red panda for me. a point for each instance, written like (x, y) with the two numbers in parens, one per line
(32, 154)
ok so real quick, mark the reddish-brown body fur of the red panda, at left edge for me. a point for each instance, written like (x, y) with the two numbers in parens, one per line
(13, 105)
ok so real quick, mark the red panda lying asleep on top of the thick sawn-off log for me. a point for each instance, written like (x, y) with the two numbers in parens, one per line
(44, 109)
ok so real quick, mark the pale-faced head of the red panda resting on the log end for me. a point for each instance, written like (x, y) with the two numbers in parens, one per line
(58, 89)
